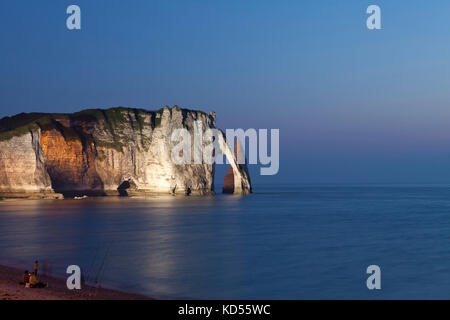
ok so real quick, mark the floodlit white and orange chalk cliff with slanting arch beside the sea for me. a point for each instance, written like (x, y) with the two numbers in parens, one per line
(115, 151)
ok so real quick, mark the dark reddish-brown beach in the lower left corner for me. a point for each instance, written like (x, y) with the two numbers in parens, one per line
(56, 289)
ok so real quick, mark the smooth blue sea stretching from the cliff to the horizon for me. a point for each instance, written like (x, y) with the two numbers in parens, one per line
(283, 242)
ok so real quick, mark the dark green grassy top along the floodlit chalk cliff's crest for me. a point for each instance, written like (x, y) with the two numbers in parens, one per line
(22, 123)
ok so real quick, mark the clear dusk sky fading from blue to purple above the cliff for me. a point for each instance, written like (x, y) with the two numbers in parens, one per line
(352, 105)
